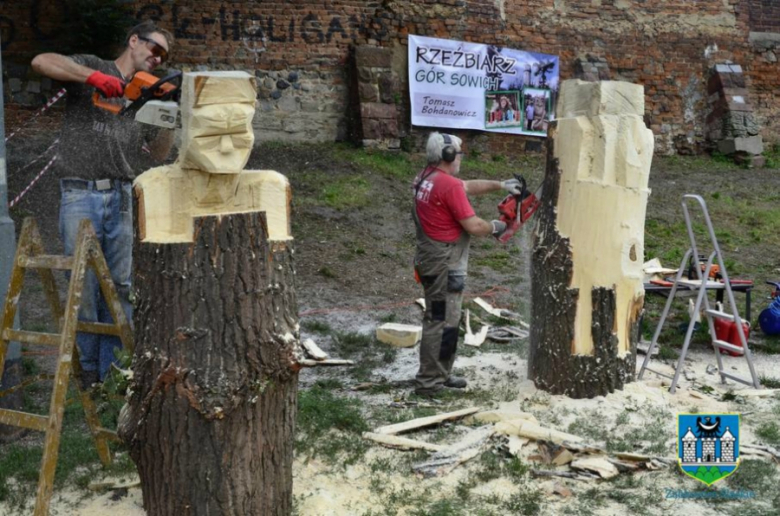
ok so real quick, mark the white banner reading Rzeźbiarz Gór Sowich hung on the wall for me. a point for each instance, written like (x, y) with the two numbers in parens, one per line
(473, 86)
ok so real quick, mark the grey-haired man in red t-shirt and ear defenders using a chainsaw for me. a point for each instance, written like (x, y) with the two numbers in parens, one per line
(445, 221)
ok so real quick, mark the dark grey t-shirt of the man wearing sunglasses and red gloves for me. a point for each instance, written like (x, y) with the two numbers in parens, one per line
(96, 144)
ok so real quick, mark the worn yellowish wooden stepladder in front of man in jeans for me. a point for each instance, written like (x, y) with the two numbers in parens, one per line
(87, 256)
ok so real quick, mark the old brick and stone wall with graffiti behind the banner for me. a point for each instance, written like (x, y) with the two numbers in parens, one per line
(669, 46)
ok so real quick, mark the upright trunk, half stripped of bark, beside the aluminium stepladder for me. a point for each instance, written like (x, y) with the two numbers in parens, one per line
(587, 282)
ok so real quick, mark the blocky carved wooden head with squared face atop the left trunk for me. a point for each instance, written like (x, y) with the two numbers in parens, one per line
(217, 111)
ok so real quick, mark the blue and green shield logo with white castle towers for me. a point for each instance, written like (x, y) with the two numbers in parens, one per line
(708, 445)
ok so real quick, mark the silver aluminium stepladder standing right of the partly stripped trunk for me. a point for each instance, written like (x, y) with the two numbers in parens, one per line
(702, 287)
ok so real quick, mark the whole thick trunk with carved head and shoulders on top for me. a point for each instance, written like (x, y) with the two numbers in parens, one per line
(210, 419)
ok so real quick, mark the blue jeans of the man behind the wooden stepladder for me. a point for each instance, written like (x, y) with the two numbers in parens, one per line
(111, 214)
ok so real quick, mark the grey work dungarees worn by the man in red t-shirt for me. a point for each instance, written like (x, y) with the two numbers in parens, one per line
(442, 271)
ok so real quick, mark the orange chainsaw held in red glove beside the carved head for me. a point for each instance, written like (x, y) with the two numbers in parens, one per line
(148, 99)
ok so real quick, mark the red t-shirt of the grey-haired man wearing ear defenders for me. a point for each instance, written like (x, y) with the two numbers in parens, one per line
(441, 203)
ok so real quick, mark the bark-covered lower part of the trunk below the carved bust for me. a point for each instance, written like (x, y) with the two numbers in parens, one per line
(211, 415)
